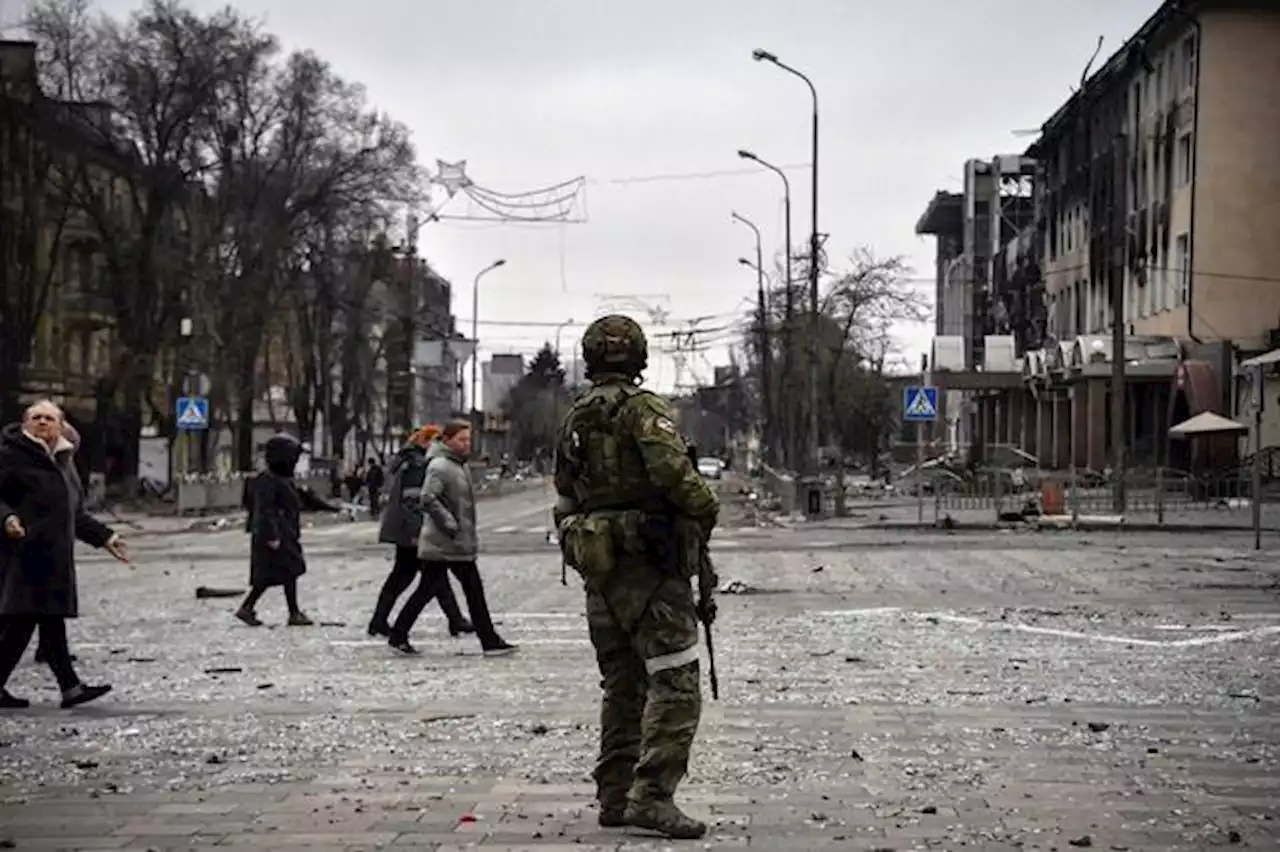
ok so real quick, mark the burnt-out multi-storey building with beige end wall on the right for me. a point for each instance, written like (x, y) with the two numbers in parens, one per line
(1154, 193)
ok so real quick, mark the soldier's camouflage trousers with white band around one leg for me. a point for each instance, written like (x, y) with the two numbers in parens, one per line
(646, 638)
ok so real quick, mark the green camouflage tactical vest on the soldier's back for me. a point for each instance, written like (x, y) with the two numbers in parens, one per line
(609, 470)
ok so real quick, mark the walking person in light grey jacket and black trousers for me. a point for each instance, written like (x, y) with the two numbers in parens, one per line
(450, 542)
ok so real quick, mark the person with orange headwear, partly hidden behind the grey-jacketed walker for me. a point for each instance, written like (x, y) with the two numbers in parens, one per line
(403, 523)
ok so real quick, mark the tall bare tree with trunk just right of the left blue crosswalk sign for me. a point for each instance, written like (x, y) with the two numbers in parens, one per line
(295, 146)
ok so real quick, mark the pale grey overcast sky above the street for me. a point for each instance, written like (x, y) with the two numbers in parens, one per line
(534, 93)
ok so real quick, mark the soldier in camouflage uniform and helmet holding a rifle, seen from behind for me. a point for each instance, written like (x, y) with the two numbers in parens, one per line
(629, 500)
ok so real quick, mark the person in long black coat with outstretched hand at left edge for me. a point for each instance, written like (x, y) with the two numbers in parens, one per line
(43, 515)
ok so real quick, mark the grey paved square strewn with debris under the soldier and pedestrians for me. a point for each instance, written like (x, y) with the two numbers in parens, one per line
(881, 691)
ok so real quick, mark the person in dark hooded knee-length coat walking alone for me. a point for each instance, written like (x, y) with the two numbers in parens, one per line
(276, 506)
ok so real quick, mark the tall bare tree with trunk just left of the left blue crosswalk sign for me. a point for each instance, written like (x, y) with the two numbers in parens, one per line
(140, 89)
